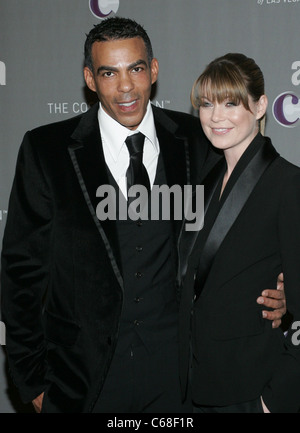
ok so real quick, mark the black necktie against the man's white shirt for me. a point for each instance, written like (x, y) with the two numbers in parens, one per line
(136, 173)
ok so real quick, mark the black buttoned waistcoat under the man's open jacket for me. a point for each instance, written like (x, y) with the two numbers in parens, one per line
(150, 308)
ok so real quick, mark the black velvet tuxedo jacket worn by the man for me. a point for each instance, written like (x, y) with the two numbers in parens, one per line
(62, 287)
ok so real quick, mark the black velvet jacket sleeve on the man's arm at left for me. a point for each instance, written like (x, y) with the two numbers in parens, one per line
(24, 273)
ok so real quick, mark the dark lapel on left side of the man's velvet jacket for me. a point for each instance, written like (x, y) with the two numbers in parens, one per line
(88, 160)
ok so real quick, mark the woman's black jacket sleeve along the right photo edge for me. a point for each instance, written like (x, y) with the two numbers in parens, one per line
(283, 392)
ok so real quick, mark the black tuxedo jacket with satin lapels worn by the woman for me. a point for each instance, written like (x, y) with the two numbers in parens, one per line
(237, 356)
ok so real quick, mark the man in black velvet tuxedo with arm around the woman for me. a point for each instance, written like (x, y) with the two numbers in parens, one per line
(90, 306)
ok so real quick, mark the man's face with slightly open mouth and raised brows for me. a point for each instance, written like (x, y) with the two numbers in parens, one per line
(122, 79)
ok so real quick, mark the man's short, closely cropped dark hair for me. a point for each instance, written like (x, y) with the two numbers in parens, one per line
(115, 28)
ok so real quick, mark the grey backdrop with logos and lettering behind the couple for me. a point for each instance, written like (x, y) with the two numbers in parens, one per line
(41, 79)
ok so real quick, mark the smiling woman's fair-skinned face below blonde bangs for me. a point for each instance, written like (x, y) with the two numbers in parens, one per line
(231, 127)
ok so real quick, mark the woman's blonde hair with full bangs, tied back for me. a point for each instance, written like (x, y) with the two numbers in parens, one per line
(233, 76)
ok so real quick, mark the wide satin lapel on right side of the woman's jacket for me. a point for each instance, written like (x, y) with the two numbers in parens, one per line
(232, 206)
